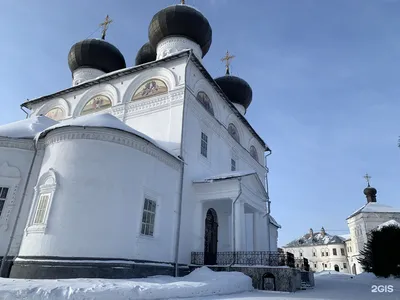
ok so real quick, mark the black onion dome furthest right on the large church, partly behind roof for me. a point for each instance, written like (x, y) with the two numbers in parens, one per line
(236, 89)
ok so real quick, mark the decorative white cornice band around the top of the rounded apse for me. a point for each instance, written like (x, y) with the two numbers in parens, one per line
(112, 136)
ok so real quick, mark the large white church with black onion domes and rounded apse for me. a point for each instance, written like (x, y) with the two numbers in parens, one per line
(130, 170)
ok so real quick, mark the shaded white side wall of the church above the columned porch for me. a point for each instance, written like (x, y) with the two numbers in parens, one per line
(221, 148)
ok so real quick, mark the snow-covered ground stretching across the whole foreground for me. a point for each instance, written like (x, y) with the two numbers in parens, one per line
(202, 284)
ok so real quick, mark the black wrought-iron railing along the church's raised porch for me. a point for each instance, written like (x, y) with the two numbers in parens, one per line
(264, 258)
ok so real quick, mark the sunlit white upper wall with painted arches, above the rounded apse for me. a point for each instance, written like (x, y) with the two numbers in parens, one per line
(158, 116)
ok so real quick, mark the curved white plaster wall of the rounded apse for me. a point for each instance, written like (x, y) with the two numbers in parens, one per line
(98, 203)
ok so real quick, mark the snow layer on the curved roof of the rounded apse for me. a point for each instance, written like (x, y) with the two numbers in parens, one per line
(101, 121)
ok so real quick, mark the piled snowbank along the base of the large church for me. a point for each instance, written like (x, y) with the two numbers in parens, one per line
(201, 282)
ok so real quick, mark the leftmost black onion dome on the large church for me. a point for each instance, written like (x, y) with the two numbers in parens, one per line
(97, 54)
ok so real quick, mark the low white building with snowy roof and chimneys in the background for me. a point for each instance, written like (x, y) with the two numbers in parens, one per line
(323, 251)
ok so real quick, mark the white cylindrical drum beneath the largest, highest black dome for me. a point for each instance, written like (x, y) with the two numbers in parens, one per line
(171, 45)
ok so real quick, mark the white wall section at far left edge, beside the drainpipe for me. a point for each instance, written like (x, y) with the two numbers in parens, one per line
(14, 167)
